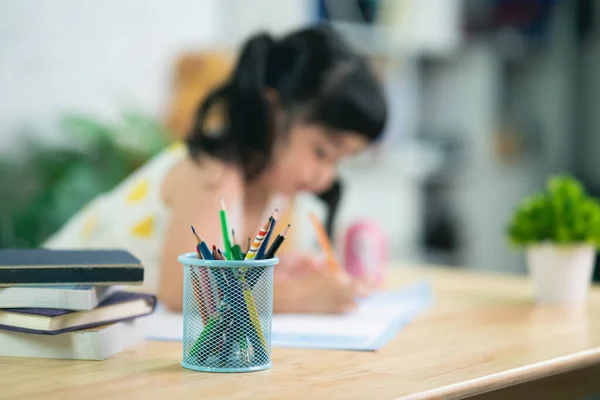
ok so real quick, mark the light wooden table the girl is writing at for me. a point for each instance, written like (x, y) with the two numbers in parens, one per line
(482, 338)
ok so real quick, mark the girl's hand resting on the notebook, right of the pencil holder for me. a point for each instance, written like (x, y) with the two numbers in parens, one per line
(308, 286)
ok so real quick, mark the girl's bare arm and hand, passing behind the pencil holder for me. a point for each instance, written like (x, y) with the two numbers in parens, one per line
(301, 284)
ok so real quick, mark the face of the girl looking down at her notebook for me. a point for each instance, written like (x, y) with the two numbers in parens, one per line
(307, 156)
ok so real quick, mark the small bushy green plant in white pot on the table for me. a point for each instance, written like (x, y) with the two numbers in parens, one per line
(560, 229)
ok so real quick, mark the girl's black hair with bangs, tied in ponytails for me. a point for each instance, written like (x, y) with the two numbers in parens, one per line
(317, 78)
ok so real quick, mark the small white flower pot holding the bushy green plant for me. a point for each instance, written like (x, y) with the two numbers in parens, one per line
(561, 274)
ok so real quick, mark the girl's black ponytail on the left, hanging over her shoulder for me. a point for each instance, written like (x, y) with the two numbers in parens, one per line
(248, 135)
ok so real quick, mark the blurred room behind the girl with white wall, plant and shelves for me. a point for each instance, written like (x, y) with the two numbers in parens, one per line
(487, 98)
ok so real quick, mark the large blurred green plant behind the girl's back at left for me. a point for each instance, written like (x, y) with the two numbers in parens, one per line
(41, 188)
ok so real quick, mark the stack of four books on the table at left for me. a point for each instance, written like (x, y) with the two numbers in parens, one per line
(70, 304)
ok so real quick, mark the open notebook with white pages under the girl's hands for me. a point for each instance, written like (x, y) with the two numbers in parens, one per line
(374, 324)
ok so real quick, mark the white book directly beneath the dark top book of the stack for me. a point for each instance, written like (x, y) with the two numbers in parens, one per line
(77, 298)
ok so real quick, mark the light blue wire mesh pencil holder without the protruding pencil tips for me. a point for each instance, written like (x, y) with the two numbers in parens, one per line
(227, 313)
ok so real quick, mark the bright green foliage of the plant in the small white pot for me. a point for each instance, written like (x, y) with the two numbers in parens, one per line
(563, 214)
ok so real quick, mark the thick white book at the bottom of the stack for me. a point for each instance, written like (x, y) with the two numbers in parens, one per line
(89, 344)
